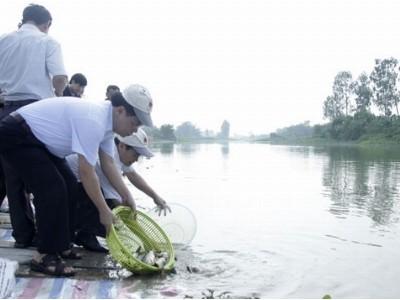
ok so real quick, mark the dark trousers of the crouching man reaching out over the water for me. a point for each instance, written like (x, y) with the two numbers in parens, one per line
(88, 219)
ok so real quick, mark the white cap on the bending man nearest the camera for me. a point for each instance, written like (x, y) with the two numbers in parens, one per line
(139, 97)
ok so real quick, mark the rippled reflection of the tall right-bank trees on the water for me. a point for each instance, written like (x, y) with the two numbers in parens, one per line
(362, 180)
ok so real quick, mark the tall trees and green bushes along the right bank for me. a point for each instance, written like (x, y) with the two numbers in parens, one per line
(365, 108)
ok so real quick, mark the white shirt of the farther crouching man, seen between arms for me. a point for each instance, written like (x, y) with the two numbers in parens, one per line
(108, 190)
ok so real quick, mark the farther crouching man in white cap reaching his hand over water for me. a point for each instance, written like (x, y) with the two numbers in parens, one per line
(127, 151)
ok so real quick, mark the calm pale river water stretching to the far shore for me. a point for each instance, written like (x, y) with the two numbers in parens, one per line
(281, 221)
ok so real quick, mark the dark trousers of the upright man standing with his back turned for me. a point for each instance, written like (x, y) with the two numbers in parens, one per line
(21, 214)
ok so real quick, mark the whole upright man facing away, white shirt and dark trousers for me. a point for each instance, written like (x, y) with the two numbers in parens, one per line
(31, 68)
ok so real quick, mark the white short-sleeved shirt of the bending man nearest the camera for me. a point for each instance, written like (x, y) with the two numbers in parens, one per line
(67, 125)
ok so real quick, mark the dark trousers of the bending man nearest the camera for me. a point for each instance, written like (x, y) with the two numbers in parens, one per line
(47, 177)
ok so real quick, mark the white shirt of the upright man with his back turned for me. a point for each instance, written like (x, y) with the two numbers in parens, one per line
(29, 59)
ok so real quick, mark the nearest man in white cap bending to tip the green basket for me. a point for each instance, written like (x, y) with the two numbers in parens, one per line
(35, 140)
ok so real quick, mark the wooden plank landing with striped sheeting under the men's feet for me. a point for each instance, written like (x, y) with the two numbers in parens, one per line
(99, 277)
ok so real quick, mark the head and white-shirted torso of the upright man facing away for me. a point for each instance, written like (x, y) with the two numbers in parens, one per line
(31, 63)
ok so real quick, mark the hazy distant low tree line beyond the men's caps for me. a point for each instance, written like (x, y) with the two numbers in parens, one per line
(187, 131)
